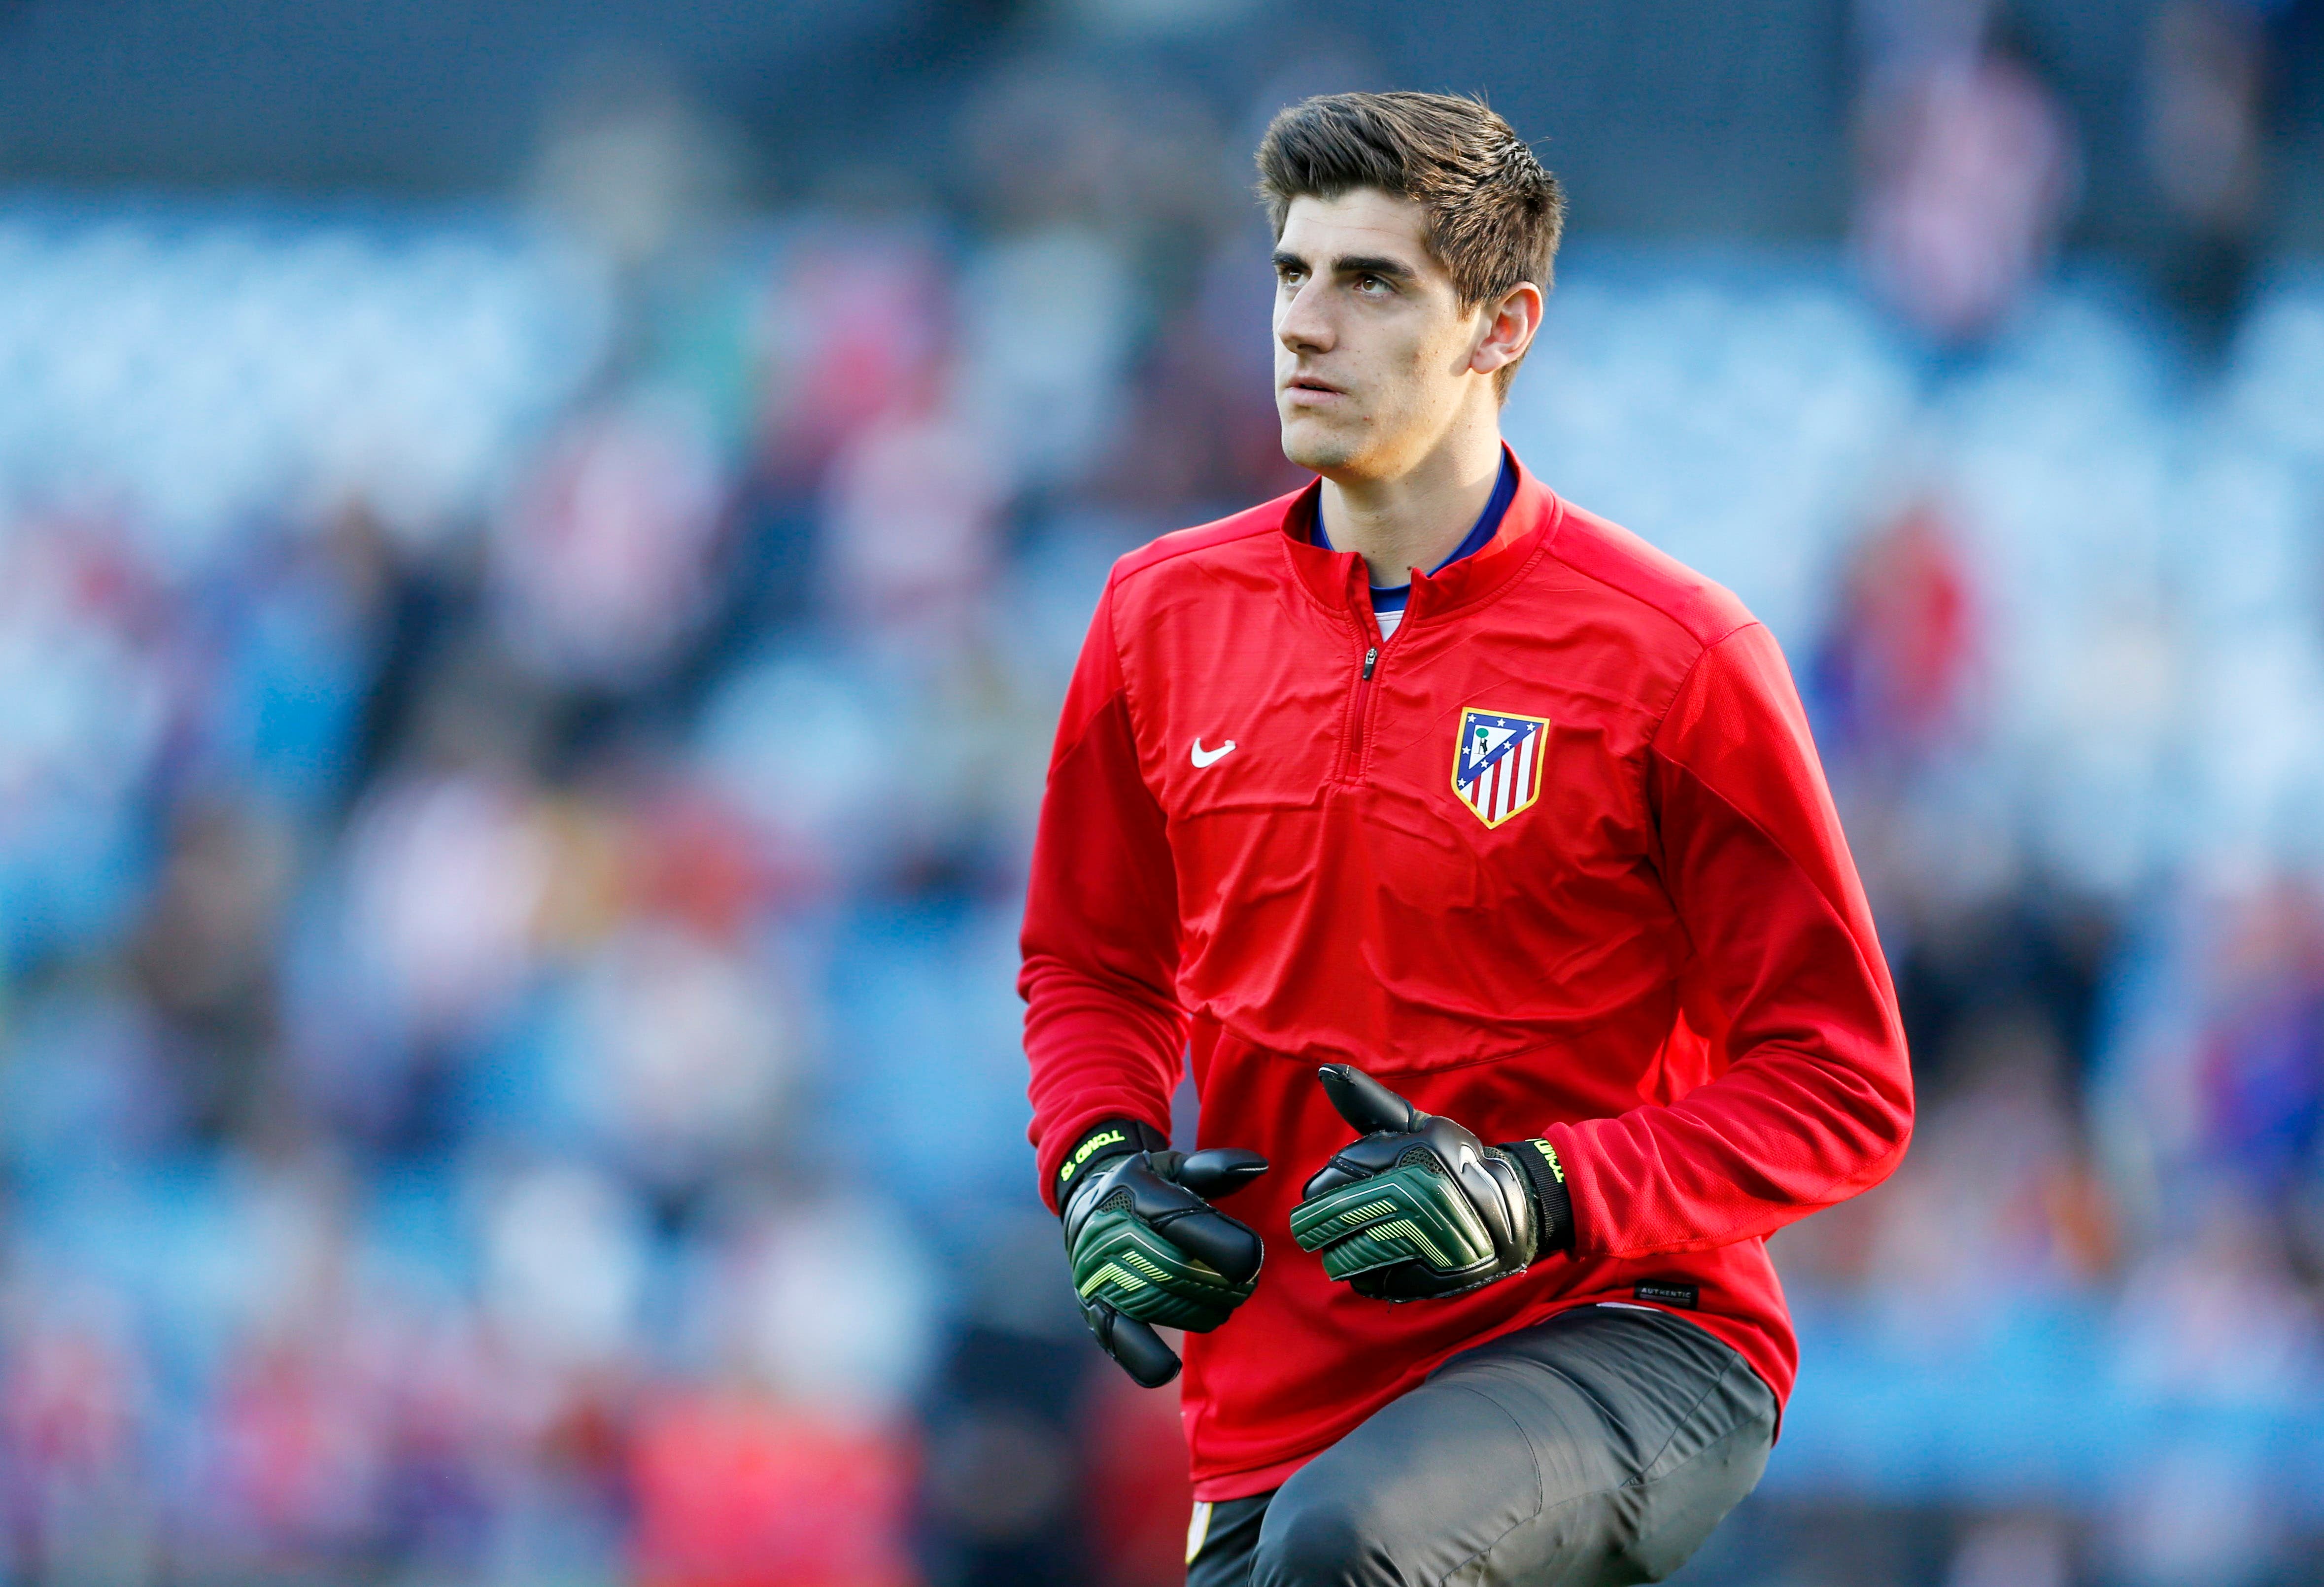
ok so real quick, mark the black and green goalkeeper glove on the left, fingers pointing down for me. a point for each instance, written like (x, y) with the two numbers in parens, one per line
(1149, 1249)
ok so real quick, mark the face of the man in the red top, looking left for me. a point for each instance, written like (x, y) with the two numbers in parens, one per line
(1372, 345)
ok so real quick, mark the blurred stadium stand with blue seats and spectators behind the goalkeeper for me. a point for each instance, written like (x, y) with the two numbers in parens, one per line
(538, 554)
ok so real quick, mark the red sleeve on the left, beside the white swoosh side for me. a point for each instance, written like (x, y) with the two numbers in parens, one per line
(1103, 1024)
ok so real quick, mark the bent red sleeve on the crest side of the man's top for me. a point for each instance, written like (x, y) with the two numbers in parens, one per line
(1786, 986)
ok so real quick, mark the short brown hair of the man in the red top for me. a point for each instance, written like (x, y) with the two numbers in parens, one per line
(1493, 213)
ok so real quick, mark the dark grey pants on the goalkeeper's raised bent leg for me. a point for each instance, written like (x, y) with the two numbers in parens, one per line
(1591, 1451)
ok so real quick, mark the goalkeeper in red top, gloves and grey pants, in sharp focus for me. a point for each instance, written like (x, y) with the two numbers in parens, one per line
(1482, 863)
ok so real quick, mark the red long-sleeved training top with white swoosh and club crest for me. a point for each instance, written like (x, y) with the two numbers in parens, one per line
(1556, 859)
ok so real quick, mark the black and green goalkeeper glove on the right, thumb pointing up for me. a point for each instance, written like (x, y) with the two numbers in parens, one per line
(1419, 1207)
